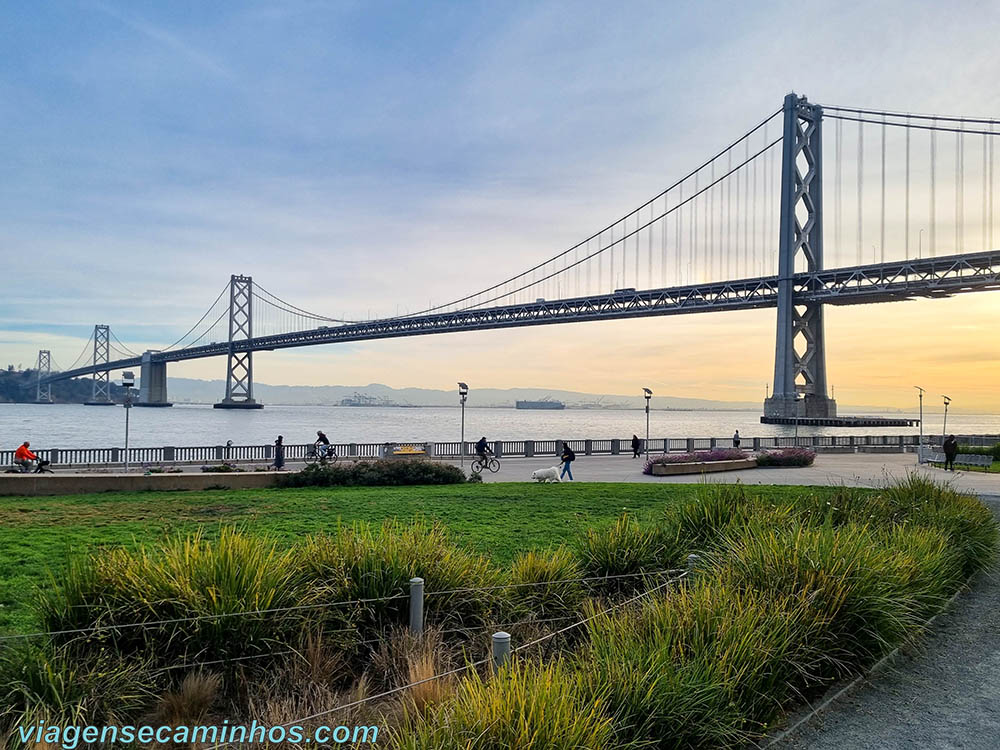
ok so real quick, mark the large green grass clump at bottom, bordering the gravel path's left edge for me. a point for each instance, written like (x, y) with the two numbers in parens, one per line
(707, 666)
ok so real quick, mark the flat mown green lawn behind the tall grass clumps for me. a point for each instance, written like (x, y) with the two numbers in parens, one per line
(38, 534)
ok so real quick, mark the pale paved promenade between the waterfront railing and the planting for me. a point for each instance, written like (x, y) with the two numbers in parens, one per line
(851, 469)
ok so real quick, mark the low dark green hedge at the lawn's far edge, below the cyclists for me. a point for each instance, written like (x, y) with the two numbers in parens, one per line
(374, 473)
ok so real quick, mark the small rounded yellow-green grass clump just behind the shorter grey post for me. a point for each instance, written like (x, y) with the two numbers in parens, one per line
(533, 593)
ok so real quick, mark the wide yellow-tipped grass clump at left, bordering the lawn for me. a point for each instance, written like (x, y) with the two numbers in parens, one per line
(192, 597)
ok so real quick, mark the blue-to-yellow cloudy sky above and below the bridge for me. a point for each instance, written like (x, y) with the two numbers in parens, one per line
(359, 158)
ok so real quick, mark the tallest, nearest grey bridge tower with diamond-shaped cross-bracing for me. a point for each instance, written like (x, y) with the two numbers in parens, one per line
(800, 387)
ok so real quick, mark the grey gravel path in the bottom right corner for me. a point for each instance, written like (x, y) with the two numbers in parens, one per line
(943, 694)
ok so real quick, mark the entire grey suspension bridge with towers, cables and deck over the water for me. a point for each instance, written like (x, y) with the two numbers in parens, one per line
(743, 230)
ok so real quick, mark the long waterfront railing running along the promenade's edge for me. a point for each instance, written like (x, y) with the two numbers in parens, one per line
(451, 450)
